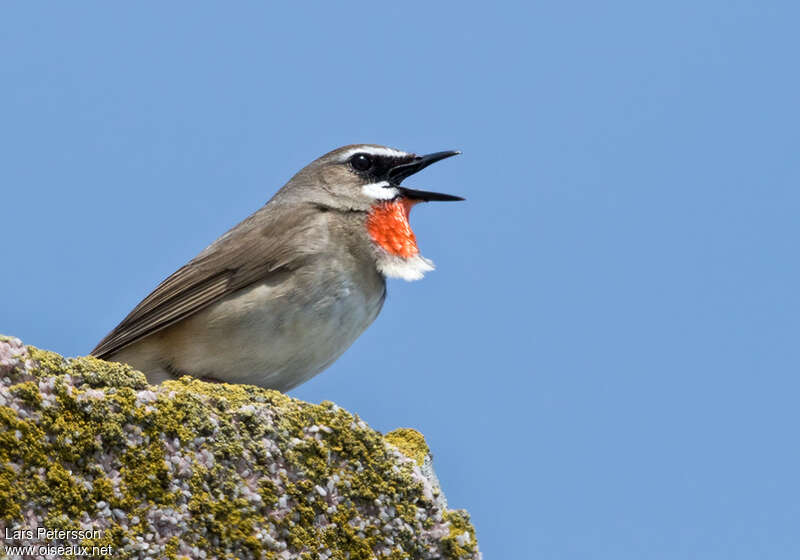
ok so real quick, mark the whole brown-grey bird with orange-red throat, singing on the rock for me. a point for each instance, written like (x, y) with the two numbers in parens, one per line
(280, 296)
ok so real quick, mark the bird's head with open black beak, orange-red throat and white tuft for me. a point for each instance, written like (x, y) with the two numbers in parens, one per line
(368, 178)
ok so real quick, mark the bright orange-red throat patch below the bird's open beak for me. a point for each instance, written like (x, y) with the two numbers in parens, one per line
(387, 224)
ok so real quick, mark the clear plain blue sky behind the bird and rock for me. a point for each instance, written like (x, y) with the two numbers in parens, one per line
(605, 362)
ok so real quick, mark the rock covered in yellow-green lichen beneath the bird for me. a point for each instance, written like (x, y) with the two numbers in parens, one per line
(189, 469)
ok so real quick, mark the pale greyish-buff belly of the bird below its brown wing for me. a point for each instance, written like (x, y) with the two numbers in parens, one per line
(277, 333)
